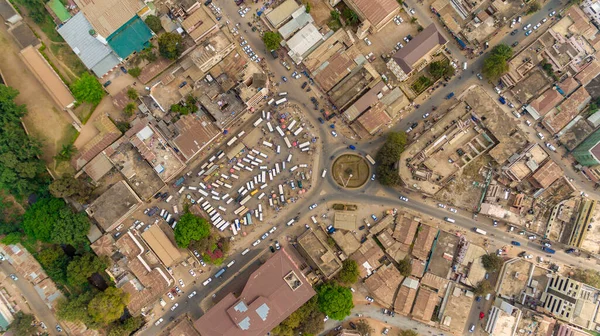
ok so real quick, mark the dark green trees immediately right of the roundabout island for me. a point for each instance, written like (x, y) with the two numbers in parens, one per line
(387, 158)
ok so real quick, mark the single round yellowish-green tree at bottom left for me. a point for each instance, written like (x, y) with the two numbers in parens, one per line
(108, 306)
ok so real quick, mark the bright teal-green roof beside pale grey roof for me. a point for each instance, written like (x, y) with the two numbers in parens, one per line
(131, 37)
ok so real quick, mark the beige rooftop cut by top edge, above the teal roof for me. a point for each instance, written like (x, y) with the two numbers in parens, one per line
(109, 15)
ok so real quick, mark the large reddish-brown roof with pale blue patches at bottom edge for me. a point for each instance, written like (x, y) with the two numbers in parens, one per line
(271, 294)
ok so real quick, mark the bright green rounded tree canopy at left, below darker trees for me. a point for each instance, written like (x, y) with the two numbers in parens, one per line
(50, 220)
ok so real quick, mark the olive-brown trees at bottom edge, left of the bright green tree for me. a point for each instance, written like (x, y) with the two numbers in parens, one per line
(308, 319)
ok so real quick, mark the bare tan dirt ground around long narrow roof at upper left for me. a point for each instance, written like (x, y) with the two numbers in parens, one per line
(44, 120)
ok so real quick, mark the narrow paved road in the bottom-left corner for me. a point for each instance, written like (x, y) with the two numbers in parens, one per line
(34, 301)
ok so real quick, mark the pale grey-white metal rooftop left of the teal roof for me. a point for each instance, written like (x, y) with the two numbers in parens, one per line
(95, 55)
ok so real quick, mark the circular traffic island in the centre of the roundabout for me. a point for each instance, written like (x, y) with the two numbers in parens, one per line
(350, 171)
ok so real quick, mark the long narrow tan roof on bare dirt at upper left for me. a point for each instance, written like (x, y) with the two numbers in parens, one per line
(48, 77)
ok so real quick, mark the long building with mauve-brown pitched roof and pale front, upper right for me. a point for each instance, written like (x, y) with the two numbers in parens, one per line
(416, 54)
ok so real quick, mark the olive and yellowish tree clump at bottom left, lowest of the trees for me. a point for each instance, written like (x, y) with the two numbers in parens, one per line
(96, 309)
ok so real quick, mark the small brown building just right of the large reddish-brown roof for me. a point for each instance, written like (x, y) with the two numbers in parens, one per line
(319, 253)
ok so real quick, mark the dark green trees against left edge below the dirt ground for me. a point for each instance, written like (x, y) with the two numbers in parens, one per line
(21, 171)
